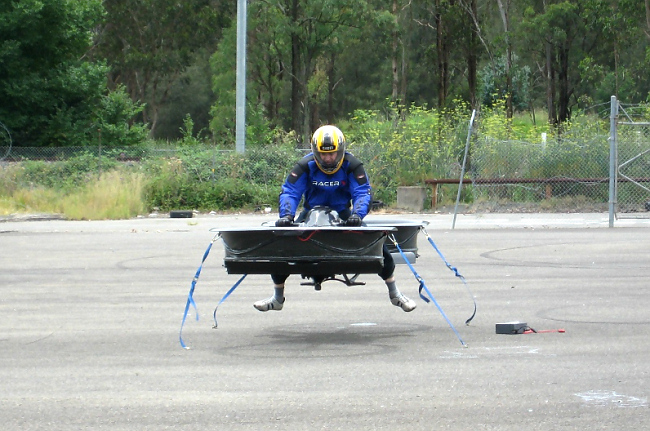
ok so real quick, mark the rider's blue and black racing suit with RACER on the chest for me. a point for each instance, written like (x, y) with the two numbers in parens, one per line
(346, 191)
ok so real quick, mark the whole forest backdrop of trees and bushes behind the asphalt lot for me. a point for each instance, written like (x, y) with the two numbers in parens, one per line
(400, 78)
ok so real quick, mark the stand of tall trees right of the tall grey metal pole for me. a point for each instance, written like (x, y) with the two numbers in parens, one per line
(317, 61)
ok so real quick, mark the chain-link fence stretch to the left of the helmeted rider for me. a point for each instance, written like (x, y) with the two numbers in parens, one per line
(29, 167)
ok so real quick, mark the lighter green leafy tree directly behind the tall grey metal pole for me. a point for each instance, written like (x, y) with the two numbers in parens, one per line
(292, 59)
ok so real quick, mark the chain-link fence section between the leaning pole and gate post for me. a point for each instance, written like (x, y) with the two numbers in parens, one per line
(565, 169)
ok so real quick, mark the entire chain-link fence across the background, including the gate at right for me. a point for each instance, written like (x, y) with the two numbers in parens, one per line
(565, 171)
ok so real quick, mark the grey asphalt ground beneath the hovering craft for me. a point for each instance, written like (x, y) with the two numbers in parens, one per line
(91, 312)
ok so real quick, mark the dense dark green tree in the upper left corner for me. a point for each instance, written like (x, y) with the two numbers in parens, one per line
(49, 88)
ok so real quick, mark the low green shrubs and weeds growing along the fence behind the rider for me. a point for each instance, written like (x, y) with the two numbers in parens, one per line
(398, 147)
